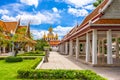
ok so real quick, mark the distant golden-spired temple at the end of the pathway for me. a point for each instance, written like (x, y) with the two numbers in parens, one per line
(51, 38)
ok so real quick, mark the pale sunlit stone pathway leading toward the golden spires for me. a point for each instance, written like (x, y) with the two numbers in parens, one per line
(57, 61)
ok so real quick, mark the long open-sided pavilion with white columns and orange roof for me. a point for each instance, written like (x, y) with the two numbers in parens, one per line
(92, 40)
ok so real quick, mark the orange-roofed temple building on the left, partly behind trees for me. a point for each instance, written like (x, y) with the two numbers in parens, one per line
(15, 36)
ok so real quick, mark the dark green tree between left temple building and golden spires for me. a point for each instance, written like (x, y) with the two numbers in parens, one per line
(41, 43)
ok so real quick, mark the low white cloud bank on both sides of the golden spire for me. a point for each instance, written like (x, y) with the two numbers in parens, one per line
(61, 31)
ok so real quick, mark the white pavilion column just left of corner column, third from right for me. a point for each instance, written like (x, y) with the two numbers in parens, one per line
(87, 47)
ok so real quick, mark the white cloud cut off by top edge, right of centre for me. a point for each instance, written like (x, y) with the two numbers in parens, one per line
(79, 3)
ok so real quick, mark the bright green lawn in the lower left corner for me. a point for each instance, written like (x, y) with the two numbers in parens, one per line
(8, 71)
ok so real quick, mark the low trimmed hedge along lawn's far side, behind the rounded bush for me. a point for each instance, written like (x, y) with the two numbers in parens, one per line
(33, 53)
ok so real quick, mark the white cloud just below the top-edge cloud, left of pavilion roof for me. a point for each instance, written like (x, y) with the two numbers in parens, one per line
(77, 12)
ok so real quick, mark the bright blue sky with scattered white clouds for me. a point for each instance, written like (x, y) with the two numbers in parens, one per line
(62, 15)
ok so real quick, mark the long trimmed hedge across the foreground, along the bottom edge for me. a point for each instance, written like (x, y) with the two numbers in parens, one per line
(59, 74)
